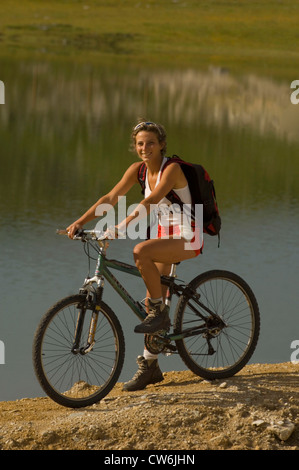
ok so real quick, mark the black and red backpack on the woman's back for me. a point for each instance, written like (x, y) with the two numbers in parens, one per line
(201, 188)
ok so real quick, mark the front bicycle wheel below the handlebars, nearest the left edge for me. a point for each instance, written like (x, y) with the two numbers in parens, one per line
(78, 377)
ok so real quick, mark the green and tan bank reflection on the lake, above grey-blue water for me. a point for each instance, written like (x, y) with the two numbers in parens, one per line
(65, 134)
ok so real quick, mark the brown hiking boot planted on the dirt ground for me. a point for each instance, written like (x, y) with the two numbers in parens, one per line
(148, 373)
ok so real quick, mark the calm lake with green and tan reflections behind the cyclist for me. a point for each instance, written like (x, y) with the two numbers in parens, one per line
(65, 138)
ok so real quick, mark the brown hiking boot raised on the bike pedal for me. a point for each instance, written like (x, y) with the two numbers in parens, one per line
(156, 320)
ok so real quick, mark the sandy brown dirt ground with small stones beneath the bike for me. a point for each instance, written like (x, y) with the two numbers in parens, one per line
(257, 409)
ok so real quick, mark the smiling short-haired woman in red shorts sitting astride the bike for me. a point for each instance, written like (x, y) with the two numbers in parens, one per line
(153, 257)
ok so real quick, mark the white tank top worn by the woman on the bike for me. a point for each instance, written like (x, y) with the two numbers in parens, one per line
(166, 215)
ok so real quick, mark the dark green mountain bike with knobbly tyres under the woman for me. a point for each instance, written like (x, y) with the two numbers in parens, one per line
(79, 345)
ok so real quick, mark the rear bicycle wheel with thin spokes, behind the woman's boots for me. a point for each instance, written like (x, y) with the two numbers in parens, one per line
(224, 351)
